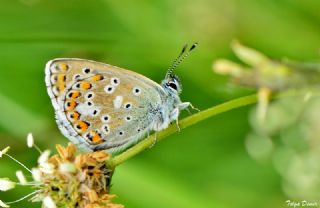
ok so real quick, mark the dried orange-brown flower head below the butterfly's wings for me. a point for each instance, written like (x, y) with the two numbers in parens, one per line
(75, 181)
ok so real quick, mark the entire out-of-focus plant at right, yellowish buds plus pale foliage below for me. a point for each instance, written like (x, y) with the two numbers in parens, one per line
(287, 130)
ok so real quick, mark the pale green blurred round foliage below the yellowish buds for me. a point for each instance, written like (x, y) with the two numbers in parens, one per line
(289, 136)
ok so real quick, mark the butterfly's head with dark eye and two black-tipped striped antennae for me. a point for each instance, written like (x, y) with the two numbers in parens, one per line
(172, 82)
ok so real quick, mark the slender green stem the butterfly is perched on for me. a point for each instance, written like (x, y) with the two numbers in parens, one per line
(193, 119)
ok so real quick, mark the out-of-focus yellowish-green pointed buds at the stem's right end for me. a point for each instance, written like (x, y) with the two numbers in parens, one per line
(262, 72)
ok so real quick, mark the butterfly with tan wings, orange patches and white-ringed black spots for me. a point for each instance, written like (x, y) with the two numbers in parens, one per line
(103, 107)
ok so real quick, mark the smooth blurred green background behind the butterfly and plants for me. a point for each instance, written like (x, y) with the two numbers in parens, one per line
(205, 165)
